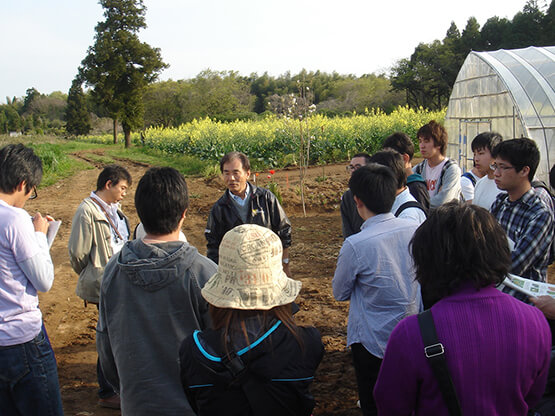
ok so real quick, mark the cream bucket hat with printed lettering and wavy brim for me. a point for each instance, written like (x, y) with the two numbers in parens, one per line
(250, 273)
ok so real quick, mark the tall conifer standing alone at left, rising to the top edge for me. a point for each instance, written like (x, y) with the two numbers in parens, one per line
(119, 66)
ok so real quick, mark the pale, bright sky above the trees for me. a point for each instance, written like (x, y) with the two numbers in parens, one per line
(44, 41)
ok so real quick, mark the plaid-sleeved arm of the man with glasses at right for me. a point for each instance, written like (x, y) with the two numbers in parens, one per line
(534, 242)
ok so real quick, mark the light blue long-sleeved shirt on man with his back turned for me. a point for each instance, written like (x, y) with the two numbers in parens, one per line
(375, 272)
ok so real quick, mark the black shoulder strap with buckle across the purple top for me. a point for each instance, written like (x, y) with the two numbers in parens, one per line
(435, 353)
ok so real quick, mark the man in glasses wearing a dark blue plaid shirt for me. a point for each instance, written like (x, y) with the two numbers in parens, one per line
(527, 221)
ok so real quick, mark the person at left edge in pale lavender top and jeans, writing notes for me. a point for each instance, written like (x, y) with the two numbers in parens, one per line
(28, 371)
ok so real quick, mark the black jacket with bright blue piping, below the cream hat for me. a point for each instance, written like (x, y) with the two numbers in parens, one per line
(275, 377)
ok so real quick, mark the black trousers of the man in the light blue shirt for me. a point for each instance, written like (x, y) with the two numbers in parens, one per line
(367, 367)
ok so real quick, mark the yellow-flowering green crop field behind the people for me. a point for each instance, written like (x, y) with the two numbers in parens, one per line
(274, 142)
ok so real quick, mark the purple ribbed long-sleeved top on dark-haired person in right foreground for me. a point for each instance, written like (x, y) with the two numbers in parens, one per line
(497, 350)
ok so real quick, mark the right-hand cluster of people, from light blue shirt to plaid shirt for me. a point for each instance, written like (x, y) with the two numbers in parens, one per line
(447, 255)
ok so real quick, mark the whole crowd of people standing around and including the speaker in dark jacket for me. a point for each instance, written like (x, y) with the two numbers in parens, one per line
(180, 333)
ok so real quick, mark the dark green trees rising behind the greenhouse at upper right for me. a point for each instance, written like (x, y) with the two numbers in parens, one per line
(428, 76)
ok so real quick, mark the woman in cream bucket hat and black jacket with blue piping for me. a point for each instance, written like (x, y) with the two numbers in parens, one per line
(255, 360)
